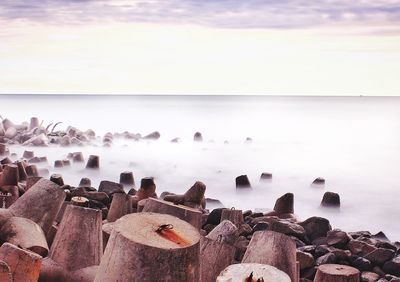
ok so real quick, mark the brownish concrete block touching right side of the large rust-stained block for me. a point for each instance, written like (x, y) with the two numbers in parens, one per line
(215, 256)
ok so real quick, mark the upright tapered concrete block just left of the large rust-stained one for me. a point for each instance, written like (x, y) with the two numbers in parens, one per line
(68, 249)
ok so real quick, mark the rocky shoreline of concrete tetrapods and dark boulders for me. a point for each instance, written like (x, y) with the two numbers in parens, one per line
(58, 232)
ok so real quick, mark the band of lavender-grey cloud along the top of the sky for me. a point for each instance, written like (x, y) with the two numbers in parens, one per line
(216, 13)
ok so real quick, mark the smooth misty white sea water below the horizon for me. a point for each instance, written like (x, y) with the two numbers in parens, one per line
(353, 142)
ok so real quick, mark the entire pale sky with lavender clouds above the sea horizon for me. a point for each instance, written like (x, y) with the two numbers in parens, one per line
(252, 47)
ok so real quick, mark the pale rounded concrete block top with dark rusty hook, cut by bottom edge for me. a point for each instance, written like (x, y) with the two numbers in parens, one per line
(252, 272)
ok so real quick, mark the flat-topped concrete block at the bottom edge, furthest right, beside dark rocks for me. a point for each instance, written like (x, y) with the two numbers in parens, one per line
(337, 273)
